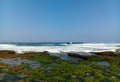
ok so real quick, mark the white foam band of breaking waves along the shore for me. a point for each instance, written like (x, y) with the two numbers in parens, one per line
(90, 47)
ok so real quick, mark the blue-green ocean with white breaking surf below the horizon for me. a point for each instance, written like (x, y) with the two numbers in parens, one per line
(58, 47)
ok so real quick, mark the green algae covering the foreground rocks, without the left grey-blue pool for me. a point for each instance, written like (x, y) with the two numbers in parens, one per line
(54, 69)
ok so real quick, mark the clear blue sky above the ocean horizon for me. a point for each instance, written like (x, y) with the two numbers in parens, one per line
(60, 20)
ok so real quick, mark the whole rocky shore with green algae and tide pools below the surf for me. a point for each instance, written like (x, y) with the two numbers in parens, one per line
(44, 67)
